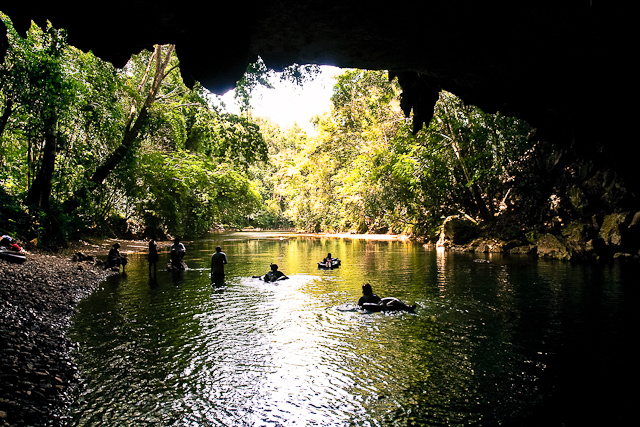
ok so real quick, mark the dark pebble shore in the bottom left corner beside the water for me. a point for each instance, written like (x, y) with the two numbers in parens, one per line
(37, 301)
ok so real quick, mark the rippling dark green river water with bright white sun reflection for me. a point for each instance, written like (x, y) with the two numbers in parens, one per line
(511, 341)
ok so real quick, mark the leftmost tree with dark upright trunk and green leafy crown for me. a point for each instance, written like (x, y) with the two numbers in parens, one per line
(33, 76)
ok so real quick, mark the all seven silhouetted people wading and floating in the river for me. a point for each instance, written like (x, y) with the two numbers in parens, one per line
(368, 301)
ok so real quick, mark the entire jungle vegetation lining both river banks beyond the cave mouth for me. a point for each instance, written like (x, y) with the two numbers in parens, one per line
(88, 148)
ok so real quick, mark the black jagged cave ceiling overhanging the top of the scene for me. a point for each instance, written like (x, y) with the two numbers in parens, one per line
(558, 64)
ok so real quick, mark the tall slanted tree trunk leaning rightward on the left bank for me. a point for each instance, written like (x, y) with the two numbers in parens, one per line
(132, 127)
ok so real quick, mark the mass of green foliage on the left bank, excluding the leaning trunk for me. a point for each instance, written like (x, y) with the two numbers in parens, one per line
(184, 166)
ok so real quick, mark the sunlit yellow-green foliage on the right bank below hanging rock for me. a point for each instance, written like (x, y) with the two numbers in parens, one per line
(366, 172)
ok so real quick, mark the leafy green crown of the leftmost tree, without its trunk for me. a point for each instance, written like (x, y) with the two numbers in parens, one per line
(36, 92)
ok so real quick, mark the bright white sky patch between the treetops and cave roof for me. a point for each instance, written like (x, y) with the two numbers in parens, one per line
(288, 103)
